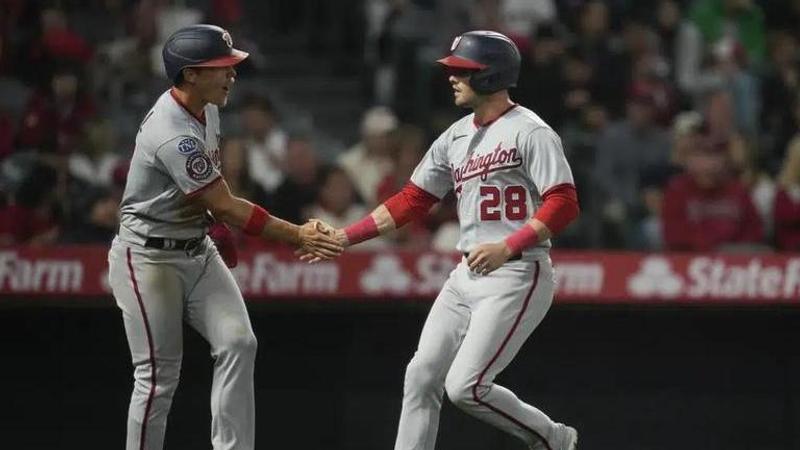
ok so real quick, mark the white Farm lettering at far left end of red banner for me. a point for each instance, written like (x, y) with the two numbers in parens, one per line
(39, 275)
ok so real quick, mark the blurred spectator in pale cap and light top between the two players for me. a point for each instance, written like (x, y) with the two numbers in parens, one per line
(370, 160)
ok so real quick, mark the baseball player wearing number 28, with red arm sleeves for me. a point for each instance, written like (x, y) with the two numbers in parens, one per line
(514, 190)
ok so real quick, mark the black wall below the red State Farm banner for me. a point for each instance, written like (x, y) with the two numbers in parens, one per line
(330, 376)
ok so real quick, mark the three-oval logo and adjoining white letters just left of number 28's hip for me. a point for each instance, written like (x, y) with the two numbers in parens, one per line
(386, 274)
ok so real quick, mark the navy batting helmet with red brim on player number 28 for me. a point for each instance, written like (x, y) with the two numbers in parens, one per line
(493, 56)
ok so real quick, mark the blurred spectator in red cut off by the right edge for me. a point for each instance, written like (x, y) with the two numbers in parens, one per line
(787, 199)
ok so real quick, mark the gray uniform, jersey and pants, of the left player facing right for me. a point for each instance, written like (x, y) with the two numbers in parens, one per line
(158, 290)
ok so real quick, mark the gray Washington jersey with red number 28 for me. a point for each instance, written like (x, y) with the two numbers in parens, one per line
(498, 172)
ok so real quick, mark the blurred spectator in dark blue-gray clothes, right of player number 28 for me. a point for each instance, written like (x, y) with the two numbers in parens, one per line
(624, 151)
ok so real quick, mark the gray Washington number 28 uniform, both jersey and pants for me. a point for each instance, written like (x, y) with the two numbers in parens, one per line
(478, 323)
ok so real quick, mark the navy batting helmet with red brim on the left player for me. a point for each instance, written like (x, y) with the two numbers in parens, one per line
(199, 46)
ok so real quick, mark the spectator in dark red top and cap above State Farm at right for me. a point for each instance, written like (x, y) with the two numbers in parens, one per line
(707, 208)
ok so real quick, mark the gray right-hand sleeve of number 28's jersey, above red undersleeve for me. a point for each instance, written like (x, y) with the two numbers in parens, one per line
(545, 160)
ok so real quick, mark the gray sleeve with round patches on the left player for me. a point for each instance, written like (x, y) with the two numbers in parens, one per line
(185, 160)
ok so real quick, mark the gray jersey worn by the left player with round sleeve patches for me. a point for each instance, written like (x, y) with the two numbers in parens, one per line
(176, 155)
